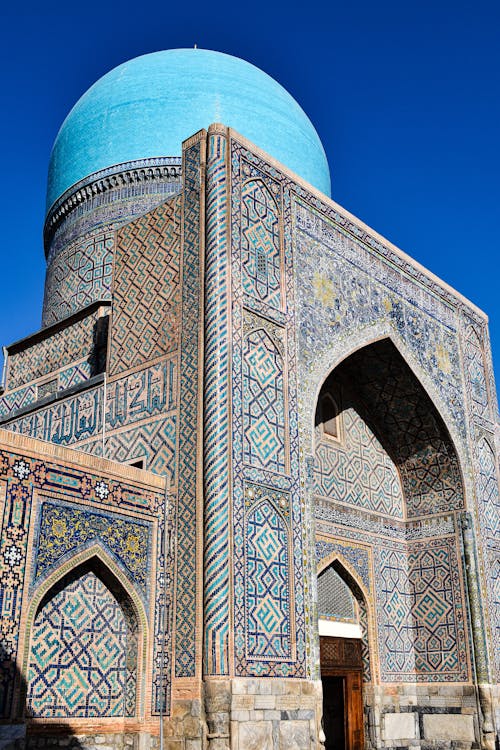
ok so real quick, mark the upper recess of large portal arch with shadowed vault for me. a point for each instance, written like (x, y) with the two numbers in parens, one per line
(396, 457)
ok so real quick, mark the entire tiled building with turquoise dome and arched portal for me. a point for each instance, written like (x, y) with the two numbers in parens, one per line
(249, 488)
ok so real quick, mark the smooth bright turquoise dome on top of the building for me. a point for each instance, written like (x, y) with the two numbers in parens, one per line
(146, 107)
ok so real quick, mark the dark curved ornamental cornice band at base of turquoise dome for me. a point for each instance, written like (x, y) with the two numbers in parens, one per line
(159, 169)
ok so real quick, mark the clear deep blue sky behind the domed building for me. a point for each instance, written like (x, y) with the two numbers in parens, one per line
(405, 97)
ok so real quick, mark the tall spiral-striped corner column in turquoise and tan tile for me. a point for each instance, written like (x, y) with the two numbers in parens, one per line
(216, 414)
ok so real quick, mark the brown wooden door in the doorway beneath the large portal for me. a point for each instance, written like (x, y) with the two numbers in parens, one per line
(342, 676)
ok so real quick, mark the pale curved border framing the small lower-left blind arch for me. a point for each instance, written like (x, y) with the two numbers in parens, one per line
(91, 555)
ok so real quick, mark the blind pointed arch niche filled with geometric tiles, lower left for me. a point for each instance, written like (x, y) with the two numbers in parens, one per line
(86, 641)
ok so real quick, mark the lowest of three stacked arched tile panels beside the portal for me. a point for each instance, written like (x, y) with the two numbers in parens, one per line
(268, 580)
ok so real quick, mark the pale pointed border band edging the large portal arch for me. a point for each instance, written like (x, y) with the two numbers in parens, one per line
(333, 356)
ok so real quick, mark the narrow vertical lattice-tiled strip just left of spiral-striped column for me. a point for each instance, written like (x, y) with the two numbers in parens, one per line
(186, 664)
